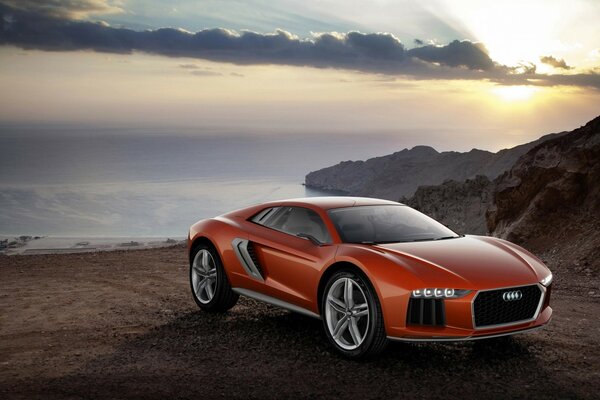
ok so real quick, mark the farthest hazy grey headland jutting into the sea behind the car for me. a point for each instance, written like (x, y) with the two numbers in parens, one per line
(401, 173)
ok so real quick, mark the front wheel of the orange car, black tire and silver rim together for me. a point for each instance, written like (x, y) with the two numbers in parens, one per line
(353, 322)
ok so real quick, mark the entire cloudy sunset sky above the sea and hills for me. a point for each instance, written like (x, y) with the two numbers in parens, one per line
(459, 74)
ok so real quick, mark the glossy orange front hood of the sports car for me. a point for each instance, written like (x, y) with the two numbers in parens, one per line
(468, 262)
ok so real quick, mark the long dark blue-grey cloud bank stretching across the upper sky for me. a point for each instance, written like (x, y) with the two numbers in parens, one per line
(372, 52)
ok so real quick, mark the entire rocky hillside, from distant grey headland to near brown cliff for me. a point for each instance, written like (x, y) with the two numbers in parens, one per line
(547, 199)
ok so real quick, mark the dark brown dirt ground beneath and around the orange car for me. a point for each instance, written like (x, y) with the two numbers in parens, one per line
(123, 324)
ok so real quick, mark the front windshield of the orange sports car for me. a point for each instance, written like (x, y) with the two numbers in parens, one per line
(386, 224)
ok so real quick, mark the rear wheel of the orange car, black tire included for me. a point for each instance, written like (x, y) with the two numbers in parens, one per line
(206, 266)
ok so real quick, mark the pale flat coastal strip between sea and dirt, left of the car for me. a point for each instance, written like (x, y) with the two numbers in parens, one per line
(30, 245)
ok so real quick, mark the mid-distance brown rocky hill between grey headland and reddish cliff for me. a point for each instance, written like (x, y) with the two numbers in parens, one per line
(461, 206)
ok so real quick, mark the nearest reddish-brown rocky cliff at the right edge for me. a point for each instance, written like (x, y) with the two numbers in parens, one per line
(549, 201)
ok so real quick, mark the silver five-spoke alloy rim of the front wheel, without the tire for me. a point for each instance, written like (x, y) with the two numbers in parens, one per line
(347, 313)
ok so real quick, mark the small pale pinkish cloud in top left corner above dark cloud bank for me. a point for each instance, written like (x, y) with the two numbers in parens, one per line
(66, 8)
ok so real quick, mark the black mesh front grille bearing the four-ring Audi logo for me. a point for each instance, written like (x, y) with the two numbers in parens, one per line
(490, 308)
